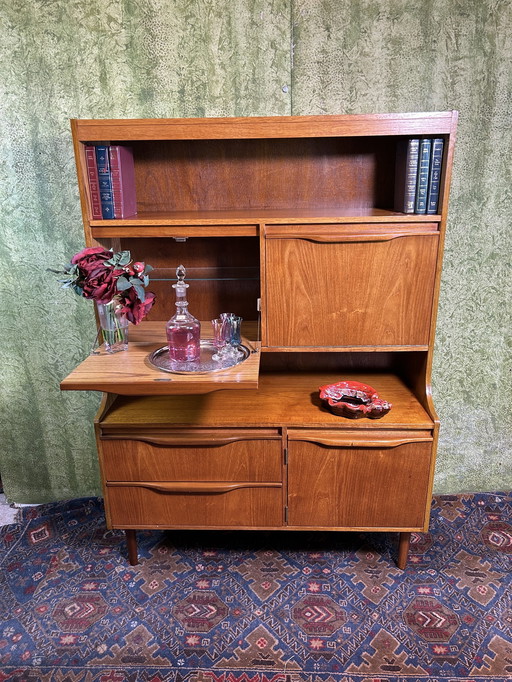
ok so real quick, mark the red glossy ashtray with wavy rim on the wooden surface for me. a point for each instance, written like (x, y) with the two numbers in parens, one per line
(354, 400)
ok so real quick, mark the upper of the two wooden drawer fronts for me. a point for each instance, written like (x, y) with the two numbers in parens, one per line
(186, 458)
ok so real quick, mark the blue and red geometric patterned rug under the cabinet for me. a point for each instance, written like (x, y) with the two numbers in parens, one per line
(257, 607)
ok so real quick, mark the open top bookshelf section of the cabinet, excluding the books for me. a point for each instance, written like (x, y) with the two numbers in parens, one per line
(237, 173)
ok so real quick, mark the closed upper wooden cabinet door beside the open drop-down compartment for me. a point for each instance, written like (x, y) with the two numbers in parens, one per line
(329, 286)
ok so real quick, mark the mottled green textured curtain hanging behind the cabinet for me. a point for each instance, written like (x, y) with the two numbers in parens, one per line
(159, 58)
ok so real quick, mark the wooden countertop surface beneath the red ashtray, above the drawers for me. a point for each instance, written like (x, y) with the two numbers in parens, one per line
(282, 399)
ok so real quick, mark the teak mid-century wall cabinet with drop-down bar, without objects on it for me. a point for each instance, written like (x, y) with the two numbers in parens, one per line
(288, 222)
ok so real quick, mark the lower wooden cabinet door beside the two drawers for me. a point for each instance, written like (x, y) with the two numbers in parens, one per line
(381, 480)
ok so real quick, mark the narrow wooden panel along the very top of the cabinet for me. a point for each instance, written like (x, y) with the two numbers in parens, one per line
(350, 125)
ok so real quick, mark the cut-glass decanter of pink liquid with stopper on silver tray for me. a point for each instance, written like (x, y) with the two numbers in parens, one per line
(183, 330)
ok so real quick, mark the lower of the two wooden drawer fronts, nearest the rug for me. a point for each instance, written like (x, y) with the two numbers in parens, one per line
(201, 506)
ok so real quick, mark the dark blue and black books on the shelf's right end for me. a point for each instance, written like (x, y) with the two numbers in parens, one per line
(418, 175)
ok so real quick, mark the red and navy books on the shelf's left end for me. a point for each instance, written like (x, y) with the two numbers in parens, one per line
(111, 176)
